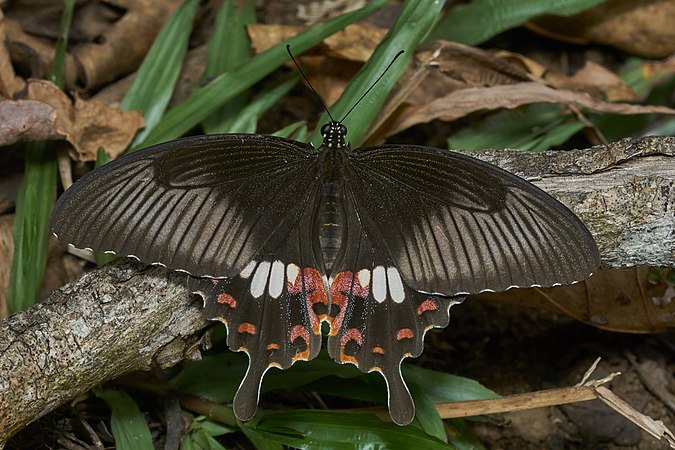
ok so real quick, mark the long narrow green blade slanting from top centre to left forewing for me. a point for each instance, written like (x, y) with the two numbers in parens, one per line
(228, 85)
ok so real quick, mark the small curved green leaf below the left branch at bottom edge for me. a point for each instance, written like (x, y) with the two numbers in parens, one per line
(127, 422)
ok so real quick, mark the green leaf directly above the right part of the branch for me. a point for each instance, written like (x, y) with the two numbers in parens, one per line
(536, 127)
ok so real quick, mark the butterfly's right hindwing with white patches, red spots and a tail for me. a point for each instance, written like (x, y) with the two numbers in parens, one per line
(376, 319)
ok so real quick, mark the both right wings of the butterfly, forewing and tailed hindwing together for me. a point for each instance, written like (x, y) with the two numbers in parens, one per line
(422, 221)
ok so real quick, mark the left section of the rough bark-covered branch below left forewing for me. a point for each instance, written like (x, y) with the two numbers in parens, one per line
(114, 320)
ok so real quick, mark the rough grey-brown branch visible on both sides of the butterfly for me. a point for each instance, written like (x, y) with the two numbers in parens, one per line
(125, 317)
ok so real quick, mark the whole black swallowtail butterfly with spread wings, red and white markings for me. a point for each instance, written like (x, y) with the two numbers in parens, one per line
(279, 237)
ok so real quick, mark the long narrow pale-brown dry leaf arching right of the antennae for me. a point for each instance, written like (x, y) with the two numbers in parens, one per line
(466, 101)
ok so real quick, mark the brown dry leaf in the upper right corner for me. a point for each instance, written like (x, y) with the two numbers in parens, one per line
(642, 28)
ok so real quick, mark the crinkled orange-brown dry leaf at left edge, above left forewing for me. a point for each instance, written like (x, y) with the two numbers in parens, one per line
(48, 113)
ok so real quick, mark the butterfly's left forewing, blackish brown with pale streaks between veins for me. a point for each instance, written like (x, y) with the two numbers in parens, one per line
(205, 205)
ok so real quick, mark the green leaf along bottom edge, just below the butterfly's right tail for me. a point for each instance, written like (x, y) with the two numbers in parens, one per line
(340, 430)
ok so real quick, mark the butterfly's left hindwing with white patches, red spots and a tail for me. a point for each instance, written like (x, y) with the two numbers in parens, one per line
(273, 308)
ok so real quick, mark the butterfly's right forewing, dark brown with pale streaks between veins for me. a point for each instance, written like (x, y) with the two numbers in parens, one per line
(454, 224)
